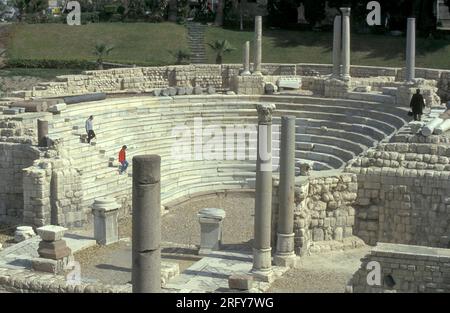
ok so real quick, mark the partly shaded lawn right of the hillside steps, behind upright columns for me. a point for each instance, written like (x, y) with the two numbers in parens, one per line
(283, 46)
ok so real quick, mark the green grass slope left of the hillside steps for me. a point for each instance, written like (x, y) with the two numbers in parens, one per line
(142, 43)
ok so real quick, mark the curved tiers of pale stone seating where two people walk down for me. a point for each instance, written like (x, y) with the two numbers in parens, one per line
(329, 134)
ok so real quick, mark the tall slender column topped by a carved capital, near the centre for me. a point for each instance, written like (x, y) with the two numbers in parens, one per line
(262, 258)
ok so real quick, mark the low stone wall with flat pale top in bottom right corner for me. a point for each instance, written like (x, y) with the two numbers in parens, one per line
(404, 269)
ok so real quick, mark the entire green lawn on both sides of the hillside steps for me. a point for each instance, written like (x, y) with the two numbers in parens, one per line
(151, 44)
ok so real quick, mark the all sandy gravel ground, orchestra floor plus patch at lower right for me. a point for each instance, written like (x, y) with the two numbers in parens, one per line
(317, 273)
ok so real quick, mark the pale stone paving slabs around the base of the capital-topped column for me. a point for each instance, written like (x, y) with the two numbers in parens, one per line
(211, 273)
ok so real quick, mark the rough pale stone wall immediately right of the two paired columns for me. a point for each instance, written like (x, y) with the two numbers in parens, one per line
(324, 210)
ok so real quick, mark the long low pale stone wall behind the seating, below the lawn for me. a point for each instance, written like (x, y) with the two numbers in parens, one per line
(219, 76)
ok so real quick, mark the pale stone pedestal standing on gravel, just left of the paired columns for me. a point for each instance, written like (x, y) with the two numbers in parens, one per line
(210, 220)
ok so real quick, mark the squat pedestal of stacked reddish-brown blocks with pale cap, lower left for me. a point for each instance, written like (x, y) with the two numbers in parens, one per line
(54, 255)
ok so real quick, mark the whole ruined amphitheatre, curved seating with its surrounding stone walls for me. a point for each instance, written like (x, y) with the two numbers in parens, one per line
(365, 174)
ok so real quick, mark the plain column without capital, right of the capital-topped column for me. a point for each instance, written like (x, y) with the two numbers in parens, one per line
(285, 255)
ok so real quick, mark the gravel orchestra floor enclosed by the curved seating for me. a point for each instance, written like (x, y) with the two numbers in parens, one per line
(112, 264)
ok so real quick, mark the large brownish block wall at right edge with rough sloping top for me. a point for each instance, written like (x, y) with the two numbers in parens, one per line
(403, 194)
